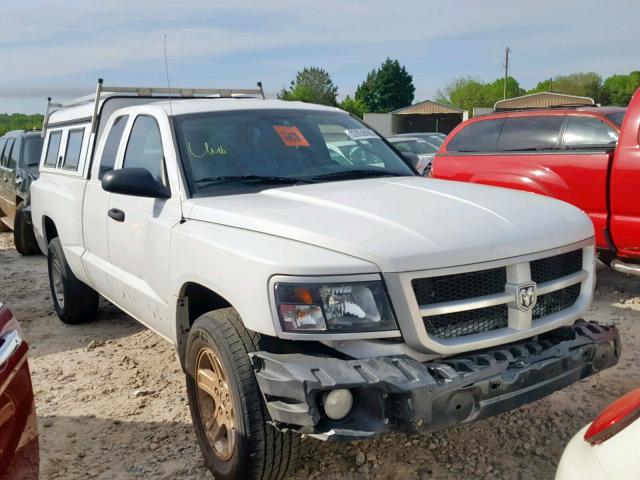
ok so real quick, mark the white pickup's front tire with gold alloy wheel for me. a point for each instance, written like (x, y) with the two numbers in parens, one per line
(229, 416)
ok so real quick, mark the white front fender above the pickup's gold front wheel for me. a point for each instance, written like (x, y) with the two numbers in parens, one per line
(237, 265)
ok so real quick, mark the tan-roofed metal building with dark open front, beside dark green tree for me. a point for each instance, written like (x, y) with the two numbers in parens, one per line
(426, 116)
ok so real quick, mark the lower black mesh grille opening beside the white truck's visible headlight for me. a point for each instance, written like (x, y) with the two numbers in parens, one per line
(459, 324)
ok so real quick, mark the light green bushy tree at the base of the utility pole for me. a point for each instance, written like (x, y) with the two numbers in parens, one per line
(468, 92)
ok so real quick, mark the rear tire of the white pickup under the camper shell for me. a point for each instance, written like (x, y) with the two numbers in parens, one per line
(74, 301)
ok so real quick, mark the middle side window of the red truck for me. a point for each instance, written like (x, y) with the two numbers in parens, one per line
(530, 133)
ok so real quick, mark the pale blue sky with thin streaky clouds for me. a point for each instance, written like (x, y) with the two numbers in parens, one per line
(59, 48)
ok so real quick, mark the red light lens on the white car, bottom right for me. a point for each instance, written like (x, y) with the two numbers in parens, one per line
(614, 418)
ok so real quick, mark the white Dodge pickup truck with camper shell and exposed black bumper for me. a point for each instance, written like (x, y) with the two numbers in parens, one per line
(306, 293)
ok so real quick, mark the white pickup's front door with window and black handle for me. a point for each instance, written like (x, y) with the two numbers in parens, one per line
(139, 229)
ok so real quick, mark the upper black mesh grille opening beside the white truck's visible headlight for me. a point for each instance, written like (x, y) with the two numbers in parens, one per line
(459, 286)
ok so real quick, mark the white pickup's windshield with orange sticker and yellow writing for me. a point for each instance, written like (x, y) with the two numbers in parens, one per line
(223, 151)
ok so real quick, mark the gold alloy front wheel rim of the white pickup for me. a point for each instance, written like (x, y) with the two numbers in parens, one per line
(215, 405)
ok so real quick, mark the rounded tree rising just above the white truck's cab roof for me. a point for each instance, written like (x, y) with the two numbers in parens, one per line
(312, 85)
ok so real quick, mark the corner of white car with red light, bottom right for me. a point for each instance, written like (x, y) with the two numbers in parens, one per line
(607, 448)
